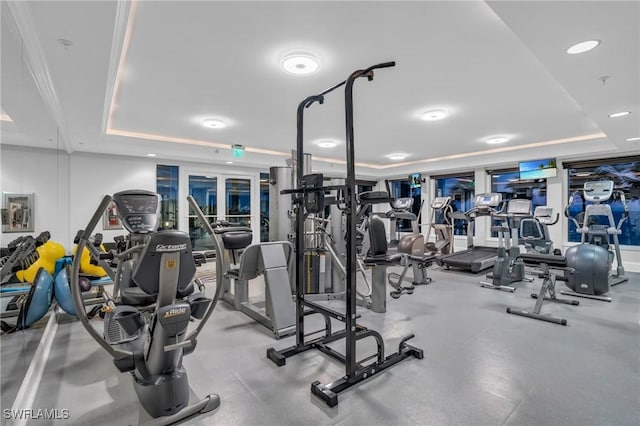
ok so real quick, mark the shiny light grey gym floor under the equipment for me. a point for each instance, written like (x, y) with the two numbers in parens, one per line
(481, 365)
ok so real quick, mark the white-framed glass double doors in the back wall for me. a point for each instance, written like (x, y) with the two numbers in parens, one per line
(221, 198)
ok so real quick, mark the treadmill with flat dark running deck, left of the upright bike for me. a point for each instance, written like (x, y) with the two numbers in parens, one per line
(474, 258)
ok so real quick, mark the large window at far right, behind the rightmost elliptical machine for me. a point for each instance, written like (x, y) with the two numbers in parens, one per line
(625, 174)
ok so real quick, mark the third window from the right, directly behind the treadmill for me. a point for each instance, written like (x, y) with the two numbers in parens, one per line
(461, 189)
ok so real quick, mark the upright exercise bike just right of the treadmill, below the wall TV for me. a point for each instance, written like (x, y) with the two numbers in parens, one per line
(509, 267)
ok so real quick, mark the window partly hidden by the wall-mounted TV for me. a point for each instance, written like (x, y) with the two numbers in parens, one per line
(508, 183)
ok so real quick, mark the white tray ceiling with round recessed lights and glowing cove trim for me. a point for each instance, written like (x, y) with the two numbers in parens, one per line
(499, 67)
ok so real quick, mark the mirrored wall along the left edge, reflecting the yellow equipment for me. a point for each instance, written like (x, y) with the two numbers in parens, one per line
(30, 158)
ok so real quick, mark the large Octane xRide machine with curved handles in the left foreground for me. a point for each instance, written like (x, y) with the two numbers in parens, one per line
(153, 302)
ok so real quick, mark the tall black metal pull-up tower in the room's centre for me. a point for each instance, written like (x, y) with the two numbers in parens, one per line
(355, 370)
